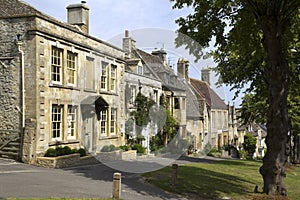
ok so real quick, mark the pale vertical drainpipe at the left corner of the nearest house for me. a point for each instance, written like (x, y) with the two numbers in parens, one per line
(19, 44)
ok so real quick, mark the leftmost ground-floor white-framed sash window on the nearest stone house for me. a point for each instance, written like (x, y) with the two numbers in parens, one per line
(56, 122)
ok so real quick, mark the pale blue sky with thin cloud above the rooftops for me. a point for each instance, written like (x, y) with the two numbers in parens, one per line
(150, 22)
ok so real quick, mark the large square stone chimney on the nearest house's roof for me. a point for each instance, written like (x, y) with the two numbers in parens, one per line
(78, 14)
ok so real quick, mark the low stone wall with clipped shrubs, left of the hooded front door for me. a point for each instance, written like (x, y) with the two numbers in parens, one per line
(58, 162)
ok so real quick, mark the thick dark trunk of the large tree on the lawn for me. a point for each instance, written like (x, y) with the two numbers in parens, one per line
(273, 169)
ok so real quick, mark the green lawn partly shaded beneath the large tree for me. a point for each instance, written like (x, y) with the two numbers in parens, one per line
(235, 179)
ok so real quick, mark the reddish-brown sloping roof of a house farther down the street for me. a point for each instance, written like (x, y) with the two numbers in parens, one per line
(211, 97)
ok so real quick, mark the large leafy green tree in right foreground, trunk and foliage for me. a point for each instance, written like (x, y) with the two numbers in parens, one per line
(253, 39)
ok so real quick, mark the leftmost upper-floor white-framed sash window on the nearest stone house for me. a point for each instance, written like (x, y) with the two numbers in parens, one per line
(56, 65)
